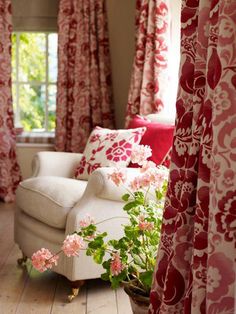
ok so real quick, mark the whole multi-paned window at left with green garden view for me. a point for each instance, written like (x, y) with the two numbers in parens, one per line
(34, 76)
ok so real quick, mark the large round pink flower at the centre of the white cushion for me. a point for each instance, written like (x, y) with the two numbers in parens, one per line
(119, 151)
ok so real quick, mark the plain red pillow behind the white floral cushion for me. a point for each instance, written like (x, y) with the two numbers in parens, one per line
(158, 136)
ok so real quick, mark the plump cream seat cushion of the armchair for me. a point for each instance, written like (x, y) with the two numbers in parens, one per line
(49, 198)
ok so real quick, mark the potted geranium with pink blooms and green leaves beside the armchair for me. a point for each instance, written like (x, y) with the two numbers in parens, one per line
(130, 260)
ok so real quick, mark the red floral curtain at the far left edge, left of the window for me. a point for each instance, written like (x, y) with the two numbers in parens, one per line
(9, 168)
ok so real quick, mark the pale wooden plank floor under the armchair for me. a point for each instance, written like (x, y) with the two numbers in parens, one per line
(25, 291)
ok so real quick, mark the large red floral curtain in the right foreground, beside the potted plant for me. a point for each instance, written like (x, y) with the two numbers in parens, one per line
(195, 271)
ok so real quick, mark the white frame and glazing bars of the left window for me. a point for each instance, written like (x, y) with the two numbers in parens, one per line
(18, 82)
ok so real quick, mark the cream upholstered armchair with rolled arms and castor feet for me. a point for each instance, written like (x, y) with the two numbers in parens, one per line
(51, 203)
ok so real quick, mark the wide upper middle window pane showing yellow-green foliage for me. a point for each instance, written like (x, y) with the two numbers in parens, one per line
(32, 59)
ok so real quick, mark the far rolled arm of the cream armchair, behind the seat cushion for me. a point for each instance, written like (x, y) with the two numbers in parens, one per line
(55, 164)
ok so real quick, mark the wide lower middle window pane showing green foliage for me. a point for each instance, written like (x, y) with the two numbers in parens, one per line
(32, 107)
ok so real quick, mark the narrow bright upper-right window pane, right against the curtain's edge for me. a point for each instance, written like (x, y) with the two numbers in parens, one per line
(52, 57)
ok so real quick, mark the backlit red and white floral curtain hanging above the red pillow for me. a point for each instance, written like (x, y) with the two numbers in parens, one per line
(148, 88)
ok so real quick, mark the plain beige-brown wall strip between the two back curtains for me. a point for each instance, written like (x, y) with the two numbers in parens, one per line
(121, 24)
